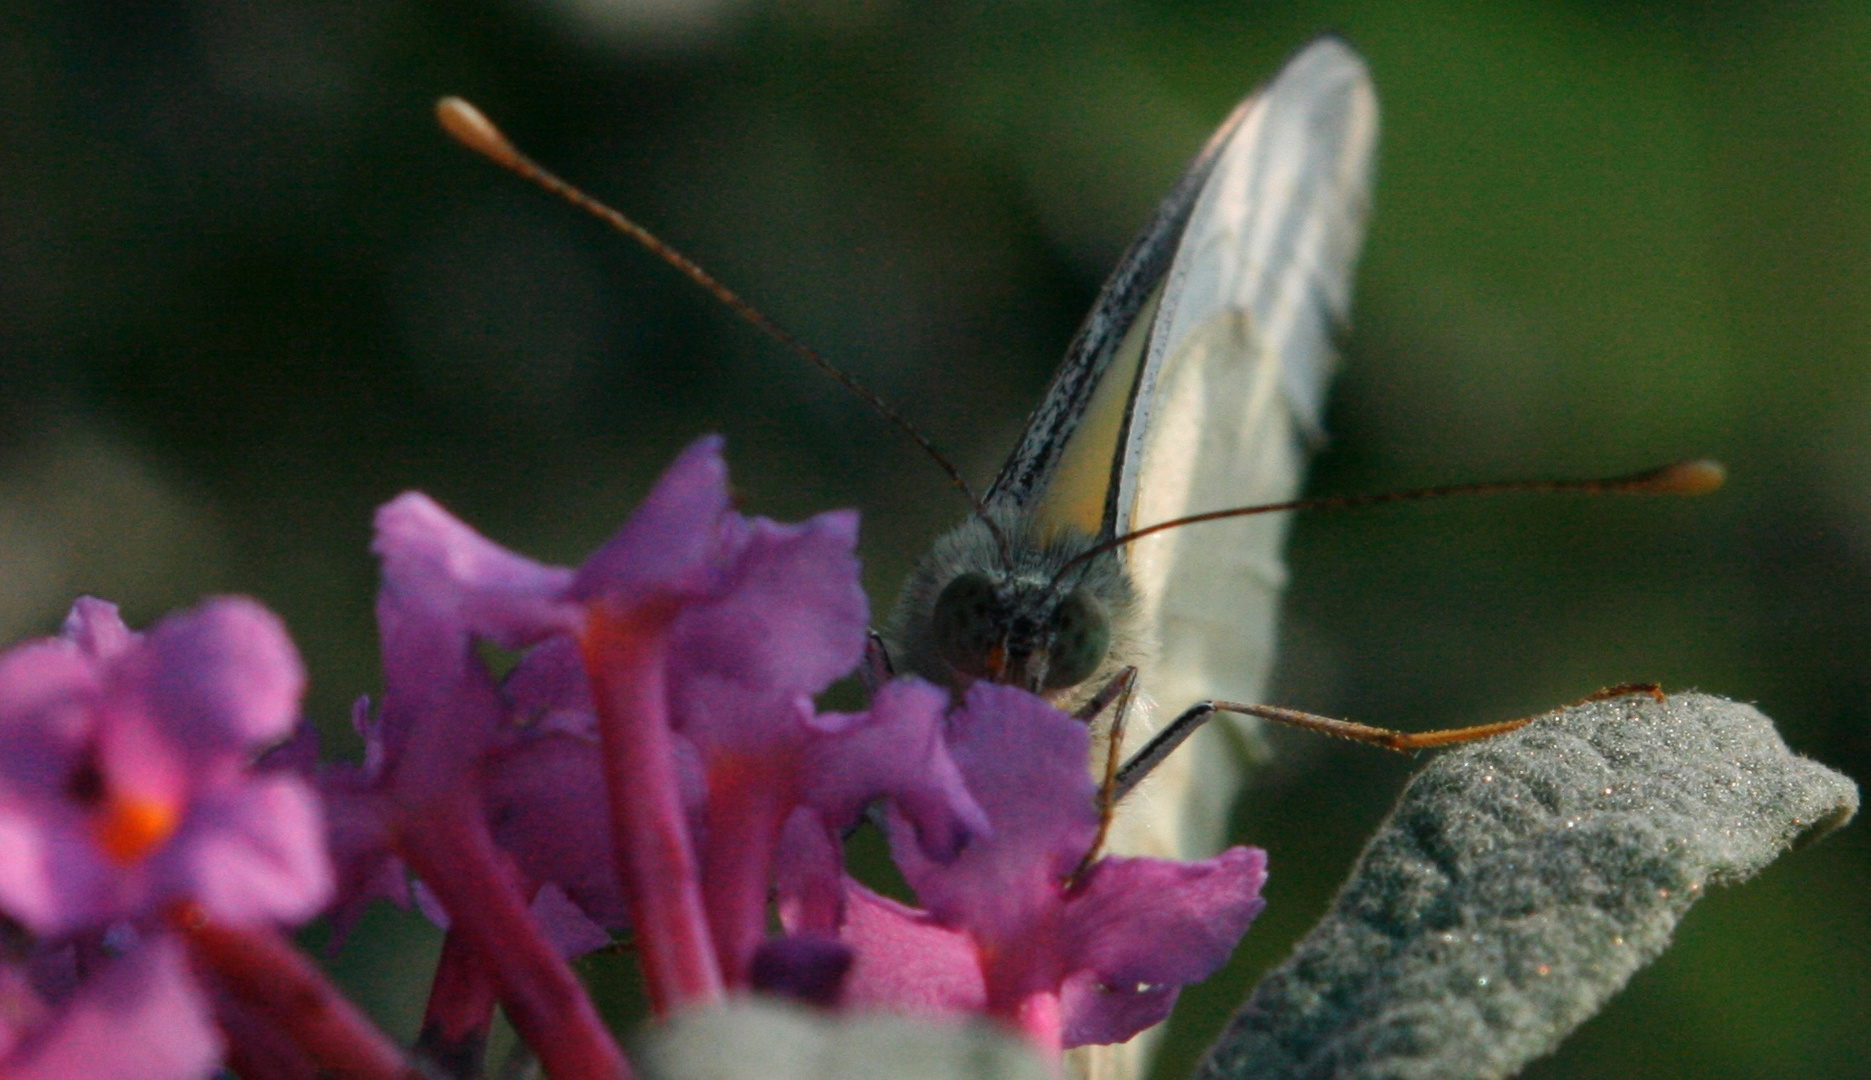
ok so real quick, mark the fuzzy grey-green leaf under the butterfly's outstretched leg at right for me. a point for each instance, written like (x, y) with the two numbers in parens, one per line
(1522, 883)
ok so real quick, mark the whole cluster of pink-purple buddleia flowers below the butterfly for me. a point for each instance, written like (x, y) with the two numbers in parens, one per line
(650, 774)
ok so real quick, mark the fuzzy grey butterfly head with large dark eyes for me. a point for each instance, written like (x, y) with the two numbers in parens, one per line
(1015, 613)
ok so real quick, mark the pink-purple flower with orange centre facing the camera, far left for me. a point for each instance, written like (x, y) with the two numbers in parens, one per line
(126, 783)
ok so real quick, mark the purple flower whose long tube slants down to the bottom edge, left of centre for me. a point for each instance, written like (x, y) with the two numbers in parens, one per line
(424, 796)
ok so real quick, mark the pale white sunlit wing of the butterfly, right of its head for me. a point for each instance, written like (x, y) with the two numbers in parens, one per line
(1228, 401)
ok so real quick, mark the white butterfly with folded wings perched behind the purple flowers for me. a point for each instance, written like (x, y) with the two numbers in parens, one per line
(1195, 385)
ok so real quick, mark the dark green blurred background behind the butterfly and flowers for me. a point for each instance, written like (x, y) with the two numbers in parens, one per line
(250, 293)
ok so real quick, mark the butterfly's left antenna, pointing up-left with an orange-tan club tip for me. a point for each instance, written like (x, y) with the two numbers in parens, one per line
(476, 132)
